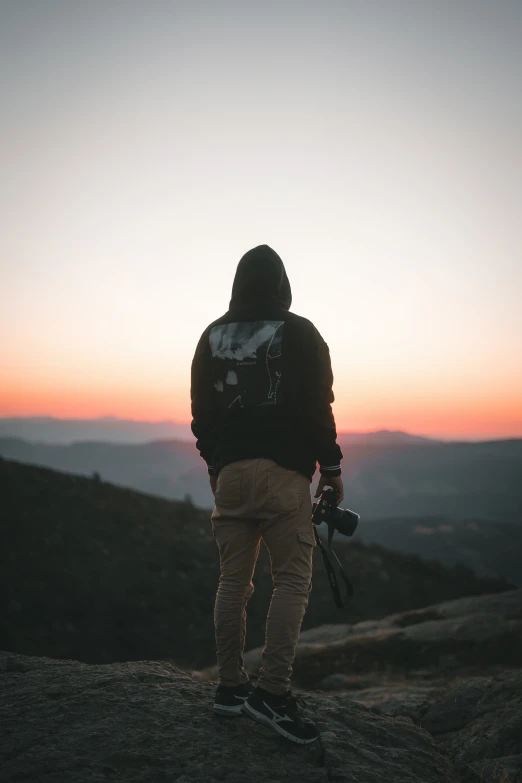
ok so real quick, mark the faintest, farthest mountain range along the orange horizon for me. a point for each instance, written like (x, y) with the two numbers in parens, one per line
(48, 429)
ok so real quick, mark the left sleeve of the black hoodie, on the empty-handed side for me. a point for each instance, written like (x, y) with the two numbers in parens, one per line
(203, 402)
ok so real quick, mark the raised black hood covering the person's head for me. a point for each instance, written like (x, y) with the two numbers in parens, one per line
(261, 277)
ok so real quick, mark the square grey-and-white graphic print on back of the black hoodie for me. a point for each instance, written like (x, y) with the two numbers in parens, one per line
(246, 363)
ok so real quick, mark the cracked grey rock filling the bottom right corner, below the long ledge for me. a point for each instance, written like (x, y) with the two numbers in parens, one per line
(477, 721)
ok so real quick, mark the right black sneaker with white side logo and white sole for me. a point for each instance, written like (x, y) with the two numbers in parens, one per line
(281, 713)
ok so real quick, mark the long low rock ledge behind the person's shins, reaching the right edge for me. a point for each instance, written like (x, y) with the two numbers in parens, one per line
(469, 633)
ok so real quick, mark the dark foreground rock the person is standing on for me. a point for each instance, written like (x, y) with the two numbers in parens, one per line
(69, 722)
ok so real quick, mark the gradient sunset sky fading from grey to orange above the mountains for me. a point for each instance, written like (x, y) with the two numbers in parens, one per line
(375, 145)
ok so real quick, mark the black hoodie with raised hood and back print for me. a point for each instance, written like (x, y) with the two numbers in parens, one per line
(262, 378)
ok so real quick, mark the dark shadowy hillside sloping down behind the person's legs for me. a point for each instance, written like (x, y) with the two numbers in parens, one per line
(100, 573)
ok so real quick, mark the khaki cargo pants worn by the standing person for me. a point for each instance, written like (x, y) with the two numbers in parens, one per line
(258, 499)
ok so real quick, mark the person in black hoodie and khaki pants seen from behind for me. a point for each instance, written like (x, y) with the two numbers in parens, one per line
(261, 393)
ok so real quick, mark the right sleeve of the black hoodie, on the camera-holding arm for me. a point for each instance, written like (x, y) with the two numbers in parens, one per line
(320, 415)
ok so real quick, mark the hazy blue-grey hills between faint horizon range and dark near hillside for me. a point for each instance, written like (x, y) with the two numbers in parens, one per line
(383, 479)
